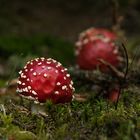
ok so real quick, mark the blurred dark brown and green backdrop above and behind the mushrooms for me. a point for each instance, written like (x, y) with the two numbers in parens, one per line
(49, 28)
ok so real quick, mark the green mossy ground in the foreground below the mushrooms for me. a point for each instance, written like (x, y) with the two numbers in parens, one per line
(87, 120)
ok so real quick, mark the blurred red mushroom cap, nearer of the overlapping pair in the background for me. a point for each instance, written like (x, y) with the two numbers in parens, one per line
(90, 53)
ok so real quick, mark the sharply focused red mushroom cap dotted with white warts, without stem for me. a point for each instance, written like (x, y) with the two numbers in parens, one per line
(45, 79)
